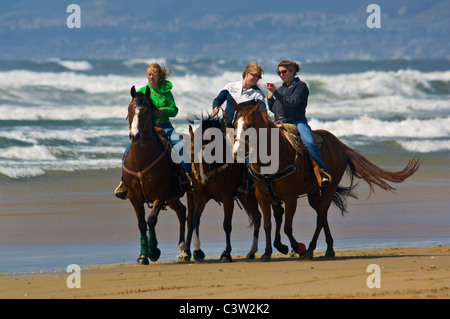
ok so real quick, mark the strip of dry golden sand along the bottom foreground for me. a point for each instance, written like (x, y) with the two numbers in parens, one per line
(404, 273)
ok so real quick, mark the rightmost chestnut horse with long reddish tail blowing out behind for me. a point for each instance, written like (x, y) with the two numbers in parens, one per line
(295, 176)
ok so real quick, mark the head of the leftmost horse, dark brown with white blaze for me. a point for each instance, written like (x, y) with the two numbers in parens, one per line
(140, 116)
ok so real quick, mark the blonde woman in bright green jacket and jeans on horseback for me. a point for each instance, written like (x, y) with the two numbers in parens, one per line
(162, 98)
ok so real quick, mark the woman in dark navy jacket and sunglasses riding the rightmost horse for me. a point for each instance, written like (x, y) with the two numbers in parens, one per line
(289, 104)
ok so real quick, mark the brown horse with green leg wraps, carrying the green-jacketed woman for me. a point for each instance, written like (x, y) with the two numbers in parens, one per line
(150, 176)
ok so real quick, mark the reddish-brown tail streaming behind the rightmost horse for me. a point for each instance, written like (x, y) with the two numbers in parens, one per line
(361, 167)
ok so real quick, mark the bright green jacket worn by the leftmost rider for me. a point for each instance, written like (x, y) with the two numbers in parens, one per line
(162, 98)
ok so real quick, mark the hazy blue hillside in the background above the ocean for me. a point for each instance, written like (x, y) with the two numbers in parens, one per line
(322, 29)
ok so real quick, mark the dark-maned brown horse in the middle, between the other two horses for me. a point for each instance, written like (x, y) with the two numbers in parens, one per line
(218, 180)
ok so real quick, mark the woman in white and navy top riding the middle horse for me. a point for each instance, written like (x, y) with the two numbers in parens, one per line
(244, 93)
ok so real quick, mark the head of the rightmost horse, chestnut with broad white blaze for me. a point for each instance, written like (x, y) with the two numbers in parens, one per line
(247, 117)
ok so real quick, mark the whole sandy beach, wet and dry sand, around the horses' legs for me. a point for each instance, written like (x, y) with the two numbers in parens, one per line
(73, 211)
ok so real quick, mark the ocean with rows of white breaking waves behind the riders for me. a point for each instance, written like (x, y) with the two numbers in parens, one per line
(61, 115)
